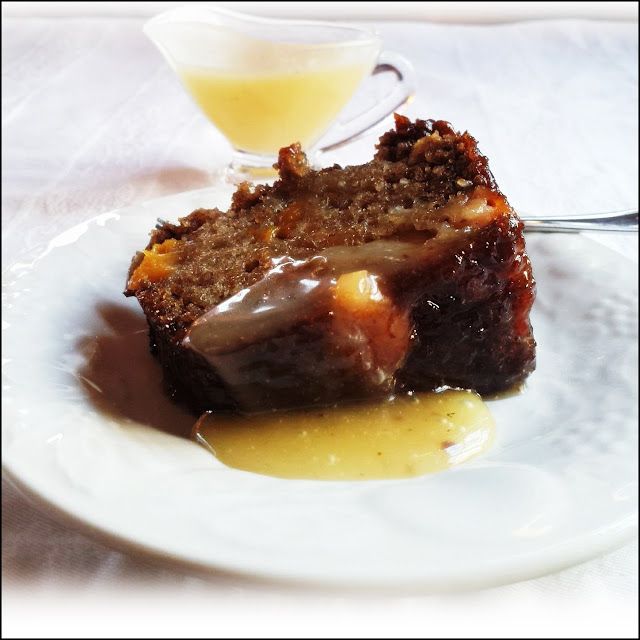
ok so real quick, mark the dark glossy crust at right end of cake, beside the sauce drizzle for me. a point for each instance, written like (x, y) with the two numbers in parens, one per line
(472, 324)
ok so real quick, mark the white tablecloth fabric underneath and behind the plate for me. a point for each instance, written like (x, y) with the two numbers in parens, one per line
(93, 119)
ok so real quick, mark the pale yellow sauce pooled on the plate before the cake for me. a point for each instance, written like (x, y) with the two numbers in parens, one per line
(402, 437)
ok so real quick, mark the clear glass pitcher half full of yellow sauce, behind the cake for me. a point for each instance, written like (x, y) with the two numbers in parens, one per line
(268, 83)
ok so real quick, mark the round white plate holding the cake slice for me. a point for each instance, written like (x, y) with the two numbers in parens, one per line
(559, 486)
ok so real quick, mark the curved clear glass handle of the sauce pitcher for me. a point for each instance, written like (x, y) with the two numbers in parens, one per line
(401, 93)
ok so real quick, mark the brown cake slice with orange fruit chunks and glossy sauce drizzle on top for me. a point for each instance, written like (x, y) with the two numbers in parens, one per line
(403, 274)
